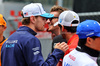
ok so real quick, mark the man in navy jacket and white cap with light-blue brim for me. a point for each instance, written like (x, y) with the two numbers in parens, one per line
(22, 48)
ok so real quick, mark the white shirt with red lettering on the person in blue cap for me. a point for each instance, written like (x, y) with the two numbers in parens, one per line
(80, 58)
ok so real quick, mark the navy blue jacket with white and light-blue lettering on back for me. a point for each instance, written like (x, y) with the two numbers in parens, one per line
(23, 49)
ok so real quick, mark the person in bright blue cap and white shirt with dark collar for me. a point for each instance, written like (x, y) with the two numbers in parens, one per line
(88, 47)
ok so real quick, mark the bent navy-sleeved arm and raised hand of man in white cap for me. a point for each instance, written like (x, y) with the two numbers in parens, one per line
(33, 55)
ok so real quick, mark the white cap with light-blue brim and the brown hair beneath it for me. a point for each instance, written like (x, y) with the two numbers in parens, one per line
(33, 9)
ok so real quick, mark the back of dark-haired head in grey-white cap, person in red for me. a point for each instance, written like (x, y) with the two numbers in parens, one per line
(70, 20)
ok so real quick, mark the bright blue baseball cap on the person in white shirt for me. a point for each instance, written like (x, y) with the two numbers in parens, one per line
(88, 28)
